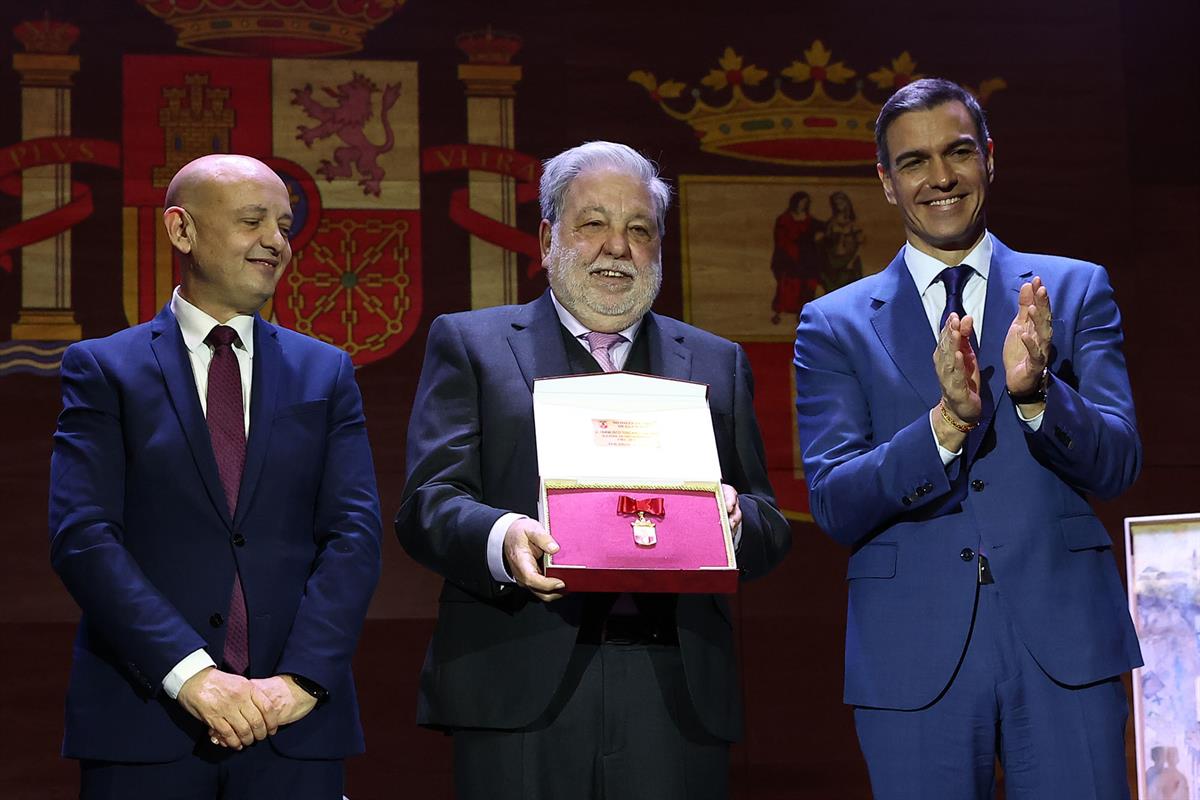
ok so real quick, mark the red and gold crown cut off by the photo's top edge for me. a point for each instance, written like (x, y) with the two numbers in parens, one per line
(273, 28)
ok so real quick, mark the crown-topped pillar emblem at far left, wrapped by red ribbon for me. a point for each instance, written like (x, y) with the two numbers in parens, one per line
(46, 70)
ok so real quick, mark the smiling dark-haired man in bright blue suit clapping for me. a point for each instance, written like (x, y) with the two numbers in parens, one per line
(987, 617)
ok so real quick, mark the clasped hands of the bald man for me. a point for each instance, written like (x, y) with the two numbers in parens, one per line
(241, 712)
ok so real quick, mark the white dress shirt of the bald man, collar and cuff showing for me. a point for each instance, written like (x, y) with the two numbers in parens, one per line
(196, 326)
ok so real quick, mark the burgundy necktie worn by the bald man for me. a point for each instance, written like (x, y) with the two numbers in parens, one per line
(227, 430)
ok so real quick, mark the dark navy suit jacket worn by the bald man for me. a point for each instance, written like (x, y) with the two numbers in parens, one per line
(142, 538)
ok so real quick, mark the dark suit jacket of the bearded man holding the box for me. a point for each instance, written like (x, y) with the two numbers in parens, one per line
(499, 654)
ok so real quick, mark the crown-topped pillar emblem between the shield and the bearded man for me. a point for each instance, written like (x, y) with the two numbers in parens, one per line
(490, 81)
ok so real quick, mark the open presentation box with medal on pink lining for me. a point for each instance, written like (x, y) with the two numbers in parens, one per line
(632, 485)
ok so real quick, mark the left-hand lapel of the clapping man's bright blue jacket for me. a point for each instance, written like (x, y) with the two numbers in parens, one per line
(903, 328)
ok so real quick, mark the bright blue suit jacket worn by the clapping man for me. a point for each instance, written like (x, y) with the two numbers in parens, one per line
(866, 384)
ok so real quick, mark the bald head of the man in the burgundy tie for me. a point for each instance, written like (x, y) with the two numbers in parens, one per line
(230, 219)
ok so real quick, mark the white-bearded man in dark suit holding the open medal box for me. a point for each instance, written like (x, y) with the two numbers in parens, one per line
(550, 694)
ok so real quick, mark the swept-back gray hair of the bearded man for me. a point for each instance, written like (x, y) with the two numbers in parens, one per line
(557, 175)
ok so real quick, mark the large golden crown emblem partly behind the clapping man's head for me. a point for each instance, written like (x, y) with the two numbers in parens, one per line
(832, 125)
